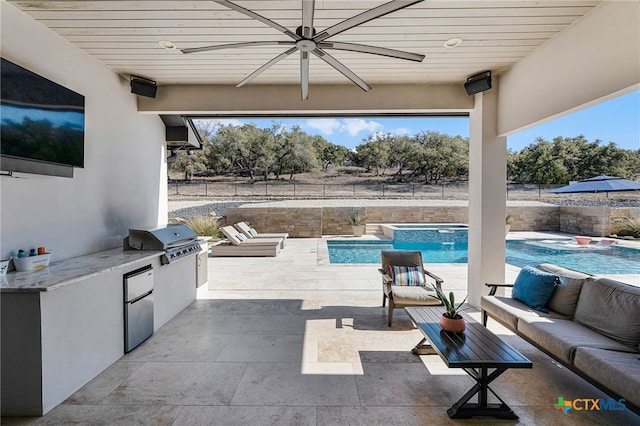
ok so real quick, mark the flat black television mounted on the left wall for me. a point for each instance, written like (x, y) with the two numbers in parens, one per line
(41, 123)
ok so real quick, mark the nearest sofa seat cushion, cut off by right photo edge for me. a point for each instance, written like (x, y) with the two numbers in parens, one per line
(618, 371)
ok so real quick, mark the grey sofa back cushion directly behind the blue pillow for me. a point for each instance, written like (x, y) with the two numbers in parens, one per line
(565, 297)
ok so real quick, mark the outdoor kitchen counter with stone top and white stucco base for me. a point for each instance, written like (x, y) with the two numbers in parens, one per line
(55, 342)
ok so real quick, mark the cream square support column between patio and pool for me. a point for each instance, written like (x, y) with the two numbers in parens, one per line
(487, 196)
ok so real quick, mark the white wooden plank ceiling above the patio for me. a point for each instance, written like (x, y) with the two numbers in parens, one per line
(124, 35)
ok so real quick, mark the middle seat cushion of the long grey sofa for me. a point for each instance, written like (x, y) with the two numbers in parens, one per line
(561, 337)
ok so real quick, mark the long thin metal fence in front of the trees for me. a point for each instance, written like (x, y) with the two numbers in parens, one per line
(285, 190)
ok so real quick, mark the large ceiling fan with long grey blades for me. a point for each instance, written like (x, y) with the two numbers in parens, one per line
(306, 40)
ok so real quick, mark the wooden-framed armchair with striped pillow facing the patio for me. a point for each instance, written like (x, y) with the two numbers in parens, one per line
(404, 281)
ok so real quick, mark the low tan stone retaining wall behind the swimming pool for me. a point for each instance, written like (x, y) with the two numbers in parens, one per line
(314, 222)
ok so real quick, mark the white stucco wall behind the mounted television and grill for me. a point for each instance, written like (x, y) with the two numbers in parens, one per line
(123, 183)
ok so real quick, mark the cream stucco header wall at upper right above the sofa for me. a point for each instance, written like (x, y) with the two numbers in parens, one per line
(584, 65)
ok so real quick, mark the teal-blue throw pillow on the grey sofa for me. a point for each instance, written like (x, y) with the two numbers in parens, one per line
(534, 287)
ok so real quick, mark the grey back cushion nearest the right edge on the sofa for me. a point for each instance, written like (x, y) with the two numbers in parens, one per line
(611, 308)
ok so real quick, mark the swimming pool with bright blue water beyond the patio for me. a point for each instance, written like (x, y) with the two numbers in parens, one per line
(592, 259)
